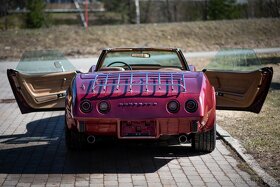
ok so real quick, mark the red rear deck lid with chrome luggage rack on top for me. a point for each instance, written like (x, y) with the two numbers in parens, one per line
(137, 84)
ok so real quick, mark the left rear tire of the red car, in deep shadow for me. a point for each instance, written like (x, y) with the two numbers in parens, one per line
(73, 139)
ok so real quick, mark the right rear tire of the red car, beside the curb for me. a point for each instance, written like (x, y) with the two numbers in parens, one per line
(205, 141)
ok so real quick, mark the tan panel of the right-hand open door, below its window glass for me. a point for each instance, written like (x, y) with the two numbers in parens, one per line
(240, 90)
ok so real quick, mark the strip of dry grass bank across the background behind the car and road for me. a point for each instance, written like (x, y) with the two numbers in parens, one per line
(191, 36)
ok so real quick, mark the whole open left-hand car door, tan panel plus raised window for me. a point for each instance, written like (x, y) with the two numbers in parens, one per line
(40, 80)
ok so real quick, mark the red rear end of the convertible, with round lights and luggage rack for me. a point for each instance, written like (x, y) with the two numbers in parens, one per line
(141, 105)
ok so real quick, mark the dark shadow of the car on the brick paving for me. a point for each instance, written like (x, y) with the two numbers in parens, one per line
(42, 150)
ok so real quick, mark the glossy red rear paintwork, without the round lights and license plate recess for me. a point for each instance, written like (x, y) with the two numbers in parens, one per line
(139, 104)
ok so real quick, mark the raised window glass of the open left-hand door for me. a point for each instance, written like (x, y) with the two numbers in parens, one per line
(45, 61)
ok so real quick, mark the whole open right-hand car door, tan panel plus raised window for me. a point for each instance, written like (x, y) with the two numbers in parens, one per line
(240, 81)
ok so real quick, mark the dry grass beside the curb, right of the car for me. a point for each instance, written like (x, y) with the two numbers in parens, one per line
(259, 133)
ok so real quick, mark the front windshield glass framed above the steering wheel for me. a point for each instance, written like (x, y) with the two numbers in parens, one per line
(142, 58)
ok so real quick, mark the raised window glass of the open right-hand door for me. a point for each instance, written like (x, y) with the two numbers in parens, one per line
(235, 60)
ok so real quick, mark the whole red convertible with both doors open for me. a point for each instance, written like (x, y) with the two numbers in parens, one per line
(140, 93)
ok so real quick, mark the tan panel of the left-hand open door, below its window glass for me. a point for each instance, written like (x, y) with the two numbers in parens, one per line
(35, 92)
